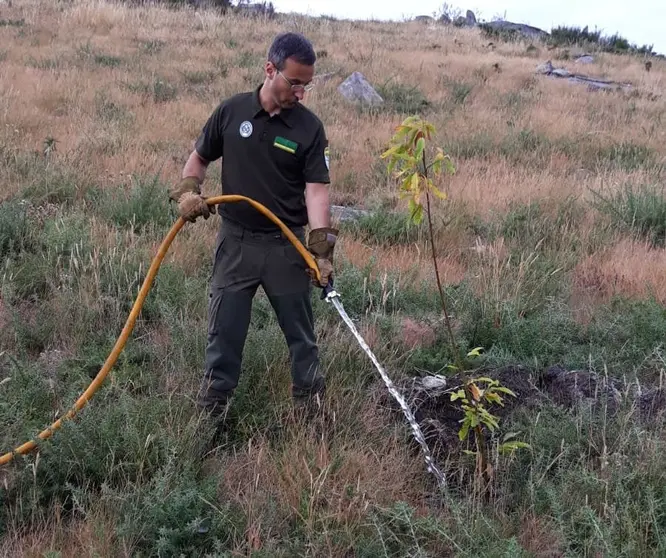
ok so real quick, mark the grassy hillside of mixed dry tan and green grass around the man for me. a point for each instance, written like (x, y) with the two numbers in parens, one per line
(551, 249)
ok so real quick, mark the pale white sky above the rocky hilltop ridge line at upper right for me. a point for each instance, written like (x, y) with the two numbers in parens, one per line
(639, 21)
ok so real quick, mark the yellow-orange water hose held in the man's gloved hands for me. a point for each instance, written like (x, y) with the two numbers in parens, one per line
(138, 303)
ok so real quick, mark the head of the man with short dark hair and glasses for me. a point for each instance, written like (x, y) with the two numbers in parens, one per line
(289, 69)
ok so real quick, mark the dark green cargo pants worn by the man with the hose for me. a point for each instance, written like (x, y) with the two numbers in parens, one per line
(244, 260)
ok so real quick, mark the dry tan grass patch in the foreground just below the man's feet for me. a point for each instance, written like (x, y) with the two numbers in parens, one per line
(318, 480)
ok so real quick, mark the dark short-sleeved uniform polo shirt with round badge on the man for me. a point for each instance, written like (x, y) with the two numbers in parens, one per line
(268, 159)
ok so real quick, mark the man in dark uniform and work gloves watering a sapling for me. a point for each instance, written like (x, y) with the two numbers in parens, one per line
(274, 151)
